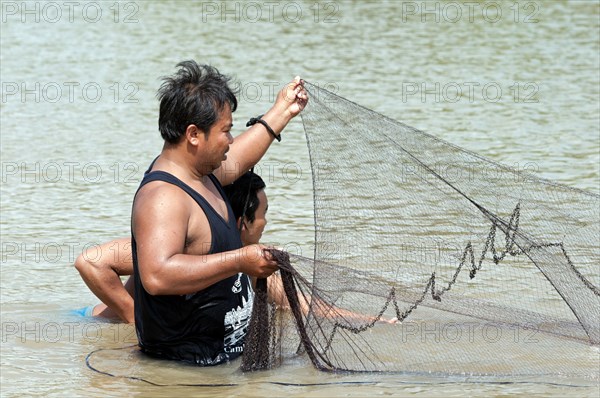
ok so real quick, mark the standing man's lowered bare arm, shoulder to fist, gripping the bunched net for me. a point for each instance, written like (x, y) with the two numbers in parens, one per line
(161, 214)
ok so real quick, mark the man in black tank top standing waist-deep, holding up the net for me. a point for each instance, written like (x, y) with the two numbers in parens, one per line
(192, 292)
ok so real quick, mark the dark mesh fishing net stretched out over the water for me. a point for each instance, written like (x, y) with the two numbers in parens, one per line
(490, 271)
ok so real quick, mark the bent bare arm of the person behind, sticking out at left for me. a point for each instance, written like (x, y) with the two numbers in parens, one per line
(100, 268)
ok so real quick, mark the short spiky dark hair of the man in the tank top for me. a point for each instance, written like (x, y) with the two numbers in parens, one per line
(194, 95)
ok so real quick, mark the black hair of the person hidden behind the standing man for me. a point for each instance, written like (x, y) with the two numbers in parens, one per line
(243, 194)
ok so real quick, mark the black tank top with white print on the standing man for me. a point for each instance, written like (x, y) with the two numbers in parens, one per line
(207, 327)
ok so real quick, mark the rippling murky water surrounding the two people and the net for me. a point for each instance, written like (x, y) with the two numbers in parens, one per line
(517, 82)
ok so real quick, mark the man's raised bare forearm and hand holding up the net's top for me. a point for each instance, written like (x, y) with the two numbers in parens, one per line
(250, 146)
